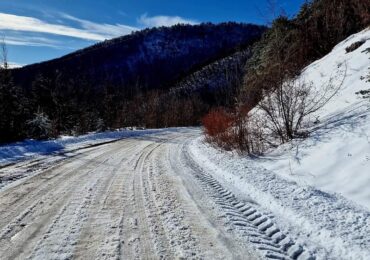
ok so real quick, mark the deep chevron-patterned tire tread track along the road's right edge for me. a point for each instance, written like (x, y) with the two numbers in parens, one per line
(259, 228)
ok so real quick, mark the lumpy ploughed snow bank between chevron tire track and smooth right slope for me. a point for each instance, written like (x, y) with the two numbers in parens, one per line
(329, 225)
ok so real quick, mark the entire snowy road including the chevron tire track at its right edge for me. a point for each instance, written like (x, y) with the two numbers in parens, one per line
(142, 197)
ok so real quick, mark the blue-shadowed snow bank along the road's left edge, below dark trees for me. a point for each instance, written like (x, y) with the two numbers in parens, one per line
(31, 148)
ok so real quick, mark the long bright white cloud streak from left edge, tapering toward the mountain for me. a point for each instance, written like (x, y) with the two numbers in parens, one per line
(89, 31)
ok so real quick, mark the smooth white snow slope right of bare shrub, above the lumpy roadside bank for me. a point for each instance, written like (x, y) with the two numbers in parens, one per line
(336, 158)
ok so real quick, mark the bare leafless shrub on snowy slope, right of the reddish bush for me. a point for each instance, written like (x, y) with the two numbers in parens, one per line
(287, 111)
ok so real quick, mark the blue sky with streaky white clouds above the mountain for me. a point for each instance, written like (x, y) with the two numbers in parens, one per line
(38, 30)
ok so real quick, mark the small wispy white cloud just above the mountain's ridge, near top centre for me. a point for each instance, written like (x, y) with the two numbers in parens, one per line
(161, 20)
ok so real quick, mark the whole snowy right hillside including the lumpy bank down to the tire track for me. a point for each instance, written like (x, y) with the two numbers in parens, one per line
(317, 189)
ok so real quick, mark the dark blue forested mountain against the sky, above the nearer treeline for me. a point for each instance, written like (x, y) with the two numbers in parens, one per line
(149, 59)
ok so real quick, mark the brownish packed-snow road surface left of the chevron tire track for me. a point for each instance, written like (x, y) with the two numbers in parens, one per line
(120, 200)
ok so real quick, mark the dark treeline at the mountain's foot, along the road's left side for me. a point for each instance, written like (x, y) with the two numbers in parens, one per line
(53, 108)
